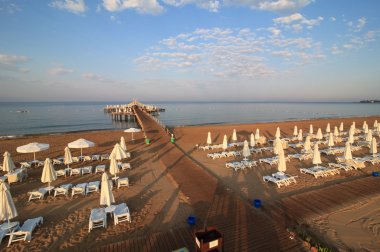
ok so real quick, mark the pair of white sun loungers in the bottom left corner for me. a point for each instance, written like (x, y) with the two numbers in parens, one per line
(17, 233)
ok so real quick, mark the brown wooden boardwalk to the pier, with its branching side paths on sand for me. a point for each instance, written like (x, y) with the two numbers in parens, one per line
(244, 228)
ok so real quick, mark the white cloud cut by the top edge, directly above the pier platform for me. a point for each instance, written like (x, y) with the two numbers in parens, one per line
(141, 6)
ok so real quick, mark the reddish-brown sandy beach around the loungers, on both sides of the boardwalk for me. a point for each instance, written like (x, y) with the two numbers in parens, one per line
(156, 199)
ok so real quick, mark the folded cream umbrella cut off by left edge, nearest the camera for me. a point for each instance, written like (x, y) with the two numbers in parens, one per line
(7, 206)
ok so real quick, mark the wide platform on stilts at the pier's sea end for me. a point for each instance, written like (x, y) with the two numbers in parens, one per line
(125, 112)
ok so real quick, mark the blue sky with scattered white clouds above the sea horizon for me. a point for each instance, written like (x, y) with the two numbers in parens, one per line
(189, 50)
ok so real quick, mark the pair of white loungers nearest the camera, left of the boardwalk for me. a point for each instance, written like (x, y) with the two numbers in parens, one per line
(98, 216)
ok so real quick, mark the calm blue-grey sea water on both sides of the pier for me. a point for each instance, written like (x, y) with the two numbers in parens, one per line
(54, 117)
